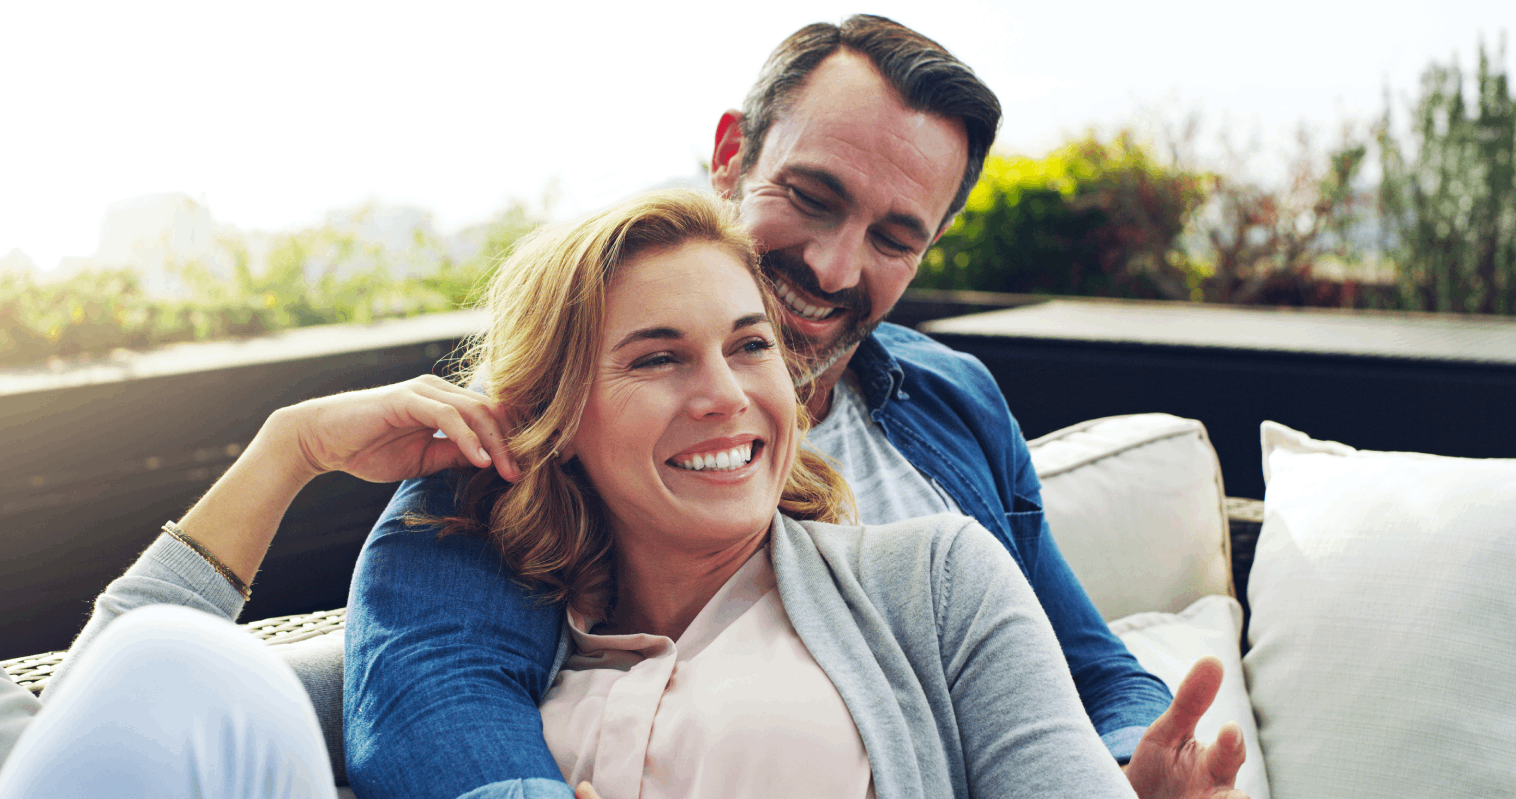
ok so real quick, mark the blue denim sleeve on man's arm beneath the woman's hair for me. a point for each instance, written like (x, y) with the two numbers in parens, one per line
(446, 663)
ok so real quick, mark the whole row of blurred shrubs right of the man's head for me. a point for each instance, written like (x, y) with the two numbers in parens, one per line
(1423, 221)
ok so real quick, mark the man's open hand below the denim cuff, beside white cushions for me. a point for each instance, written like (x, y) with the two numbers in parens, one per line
(1171, 765)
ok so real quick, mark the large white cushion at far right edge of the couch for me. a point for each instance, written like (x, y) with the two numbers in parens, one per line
(1383, 638)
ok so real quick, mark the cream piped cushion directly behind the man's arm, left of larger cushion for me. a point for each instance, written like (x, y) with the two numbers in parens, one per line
(1138, 507)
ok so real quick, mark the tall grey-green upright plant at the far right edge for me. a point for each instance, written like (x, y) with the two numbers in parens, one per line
(1452, 202)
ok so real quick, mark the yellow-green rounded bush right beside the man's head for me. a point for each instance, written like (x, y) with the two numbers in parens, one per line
(1091, 219)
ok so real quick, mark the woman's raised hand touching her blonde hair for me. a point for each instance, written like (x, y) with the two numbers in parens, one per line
(389, 434)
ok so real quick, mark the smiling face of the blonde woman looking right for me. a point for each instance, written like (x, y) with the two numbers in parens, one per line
(689, 431)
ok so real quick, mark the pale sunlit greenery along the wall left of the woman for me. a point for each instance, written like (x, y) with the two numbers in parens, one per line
(315, 277)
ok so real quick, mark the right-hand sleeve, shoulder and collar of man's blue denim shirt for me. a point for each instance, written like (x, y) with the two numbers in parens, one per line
(948, 418)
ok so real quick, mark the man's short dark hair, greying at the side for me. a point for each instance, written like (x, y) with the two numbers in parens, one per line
(926, 77)
